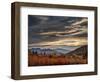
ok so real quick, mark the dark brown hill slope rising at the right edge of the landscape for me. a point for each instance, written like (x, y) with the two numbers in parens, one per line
(83, 50)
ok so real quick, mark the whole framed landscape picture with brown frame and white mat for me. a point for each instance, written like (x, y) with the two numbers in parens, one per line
(51, 40)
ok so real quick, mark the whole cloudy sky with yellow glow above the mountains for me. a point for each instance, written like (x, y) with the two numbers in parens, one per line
(57, 30)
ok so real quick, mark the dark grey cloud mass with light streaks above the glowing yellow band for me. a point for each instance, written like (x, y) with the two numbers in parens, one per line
(49, 28)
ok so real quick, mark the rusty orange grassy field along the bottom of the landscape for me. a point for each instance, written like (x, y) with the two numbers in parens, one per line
(40, 60)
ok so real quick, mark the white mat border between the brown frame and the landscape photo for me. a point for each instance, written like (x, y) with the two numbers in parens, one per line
(25, 70)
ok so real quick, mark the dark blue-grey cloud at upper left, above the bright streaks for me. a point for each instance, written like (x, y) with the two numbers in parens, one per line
(50, 22)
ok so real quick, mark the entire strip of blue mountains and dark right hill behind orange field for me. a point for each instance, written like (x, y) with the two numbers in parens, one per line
(59, 51)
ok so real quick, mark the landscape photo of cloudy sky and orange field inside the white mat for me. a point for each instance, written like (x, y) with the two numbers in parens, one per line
(57, 40)
